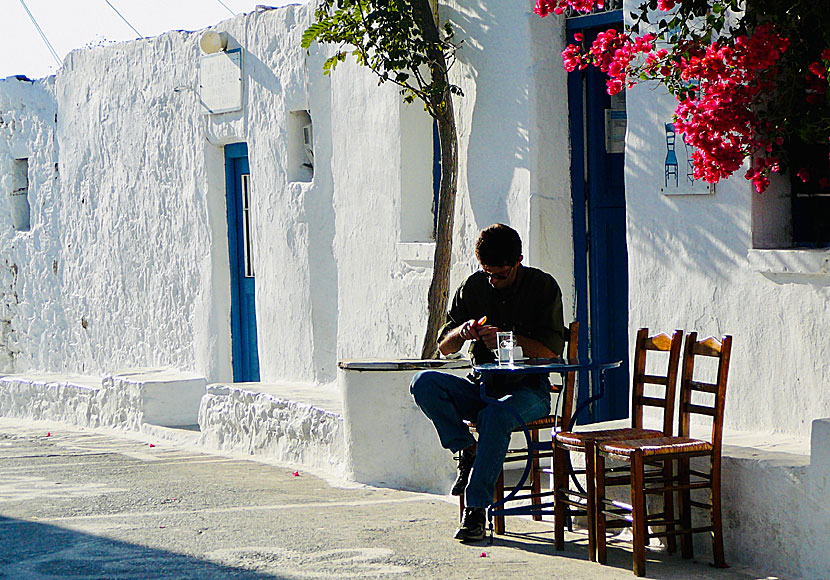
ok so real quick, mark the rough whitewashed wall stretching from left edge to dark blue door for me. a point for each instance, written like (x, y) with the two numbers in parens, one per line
(126, 263)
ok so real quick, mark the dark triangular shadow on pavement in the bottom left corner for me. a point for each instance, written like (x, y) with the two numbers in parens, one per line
(34, 550)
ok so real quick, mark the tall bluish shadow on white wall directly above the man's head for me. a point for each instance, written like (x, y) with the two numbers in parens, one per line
(498, 144)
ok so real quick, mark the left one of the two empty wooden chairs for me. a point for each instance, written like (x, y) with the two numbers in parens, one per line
(573, 501)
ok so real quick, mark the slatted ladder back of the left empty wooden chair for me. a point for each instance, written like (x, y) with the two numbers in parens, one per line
(661, 342)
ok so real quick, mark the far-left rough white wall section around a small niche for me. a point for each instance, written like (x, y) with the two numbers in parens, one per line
(29, 259)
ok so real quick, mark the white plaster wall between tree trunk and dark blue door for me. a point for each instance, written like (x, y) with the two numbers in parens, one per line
(513, 135)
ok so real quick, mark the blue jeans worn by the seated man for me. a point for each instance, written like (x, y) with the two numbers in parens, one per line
(449, 400)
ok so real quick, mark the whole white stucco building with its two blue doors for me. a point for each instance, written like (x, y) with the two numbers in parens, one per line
(114, 225)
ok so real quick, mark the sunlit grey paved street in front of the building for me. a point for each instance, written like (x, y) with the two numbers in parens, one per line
(84, 505)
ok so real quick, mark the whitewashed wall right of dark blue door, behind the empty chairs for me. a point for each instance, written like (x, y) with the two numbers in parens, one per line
(692, 266)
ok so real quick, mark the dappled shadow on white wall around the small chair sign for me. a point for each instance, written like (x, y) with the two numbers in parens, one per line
(705, 233)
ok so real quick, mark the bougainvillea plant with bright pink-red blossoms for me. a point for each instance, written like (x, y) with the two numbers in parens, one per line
(750, 78)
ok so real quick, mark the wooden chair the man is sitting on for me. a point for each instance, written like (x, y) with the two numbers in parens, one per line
(553, 421)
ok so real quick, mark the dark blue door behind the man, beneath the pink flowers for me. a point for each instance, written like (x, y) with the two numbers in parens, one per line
(600, 253)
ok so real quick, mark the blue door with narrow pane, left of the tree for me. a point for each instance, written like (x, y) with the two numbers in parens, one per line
(240, 251)
